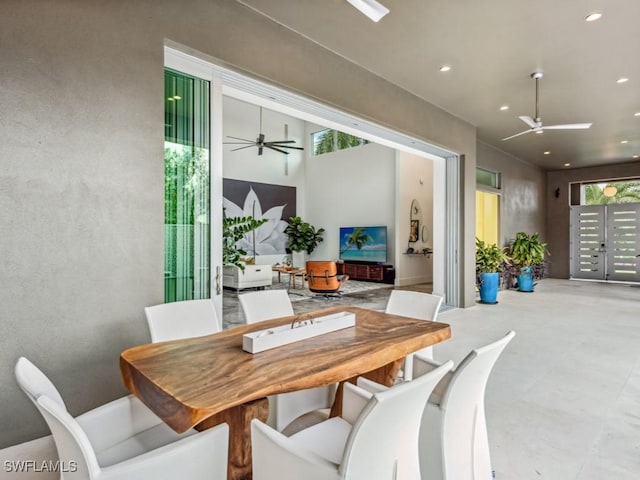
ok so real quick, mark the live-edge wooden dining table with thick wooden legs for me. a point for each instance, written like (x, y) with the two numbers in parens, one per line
(204, 381)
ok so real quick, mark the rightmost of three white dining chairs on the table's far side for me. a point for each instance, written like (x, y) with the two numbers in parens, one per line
(422, 305)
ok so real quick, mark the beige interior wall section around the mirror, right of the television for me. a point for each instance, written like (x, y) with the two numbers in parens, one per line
(414, 181)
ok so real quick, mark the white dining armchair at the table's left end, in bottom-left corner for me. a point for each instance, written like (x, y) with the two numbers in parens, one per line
(123, 439)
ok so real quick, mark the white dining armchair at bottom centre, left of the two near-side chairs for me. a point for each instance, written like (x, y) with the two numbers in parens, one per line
(375, 438)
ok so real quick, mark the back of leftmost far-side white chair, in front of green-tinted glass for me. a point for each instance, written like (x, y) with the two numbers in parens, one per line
(189, 318)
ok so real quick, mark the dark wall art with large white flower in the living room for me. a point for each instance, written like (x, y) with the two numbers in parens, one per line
(276, 203)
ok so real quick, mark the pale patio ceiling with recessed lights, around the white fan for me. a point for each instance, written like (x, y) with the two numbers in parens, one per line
(493, 46)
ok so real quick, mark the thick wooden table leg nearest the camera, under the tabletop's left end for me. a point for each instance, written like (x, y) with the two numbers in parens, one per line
(239, 421)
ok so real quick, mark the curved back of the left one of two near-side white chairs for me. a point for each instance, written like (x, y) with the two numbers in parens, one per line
(383, 442)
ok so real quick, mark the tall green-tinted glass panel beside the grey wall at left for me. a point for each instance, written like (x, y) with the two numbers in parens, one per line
(186, 179)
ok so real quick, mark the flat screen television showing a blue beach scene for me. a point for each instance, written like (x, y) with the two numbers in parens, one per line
(363, 244)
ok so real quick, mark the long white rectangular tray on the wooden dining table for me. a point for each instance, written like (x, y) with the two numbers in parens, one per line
(304, 328)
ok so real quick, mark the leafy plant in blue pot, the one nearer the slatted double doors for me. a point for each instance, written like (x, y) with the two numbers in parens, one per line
(527, 254)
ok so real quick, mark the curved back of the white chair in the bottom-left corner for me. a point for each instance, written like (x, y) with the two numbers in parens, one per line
(73, 446)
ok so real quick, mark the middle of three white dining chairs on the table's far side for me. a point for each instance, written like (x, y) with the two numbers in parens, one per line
(286, 407)
